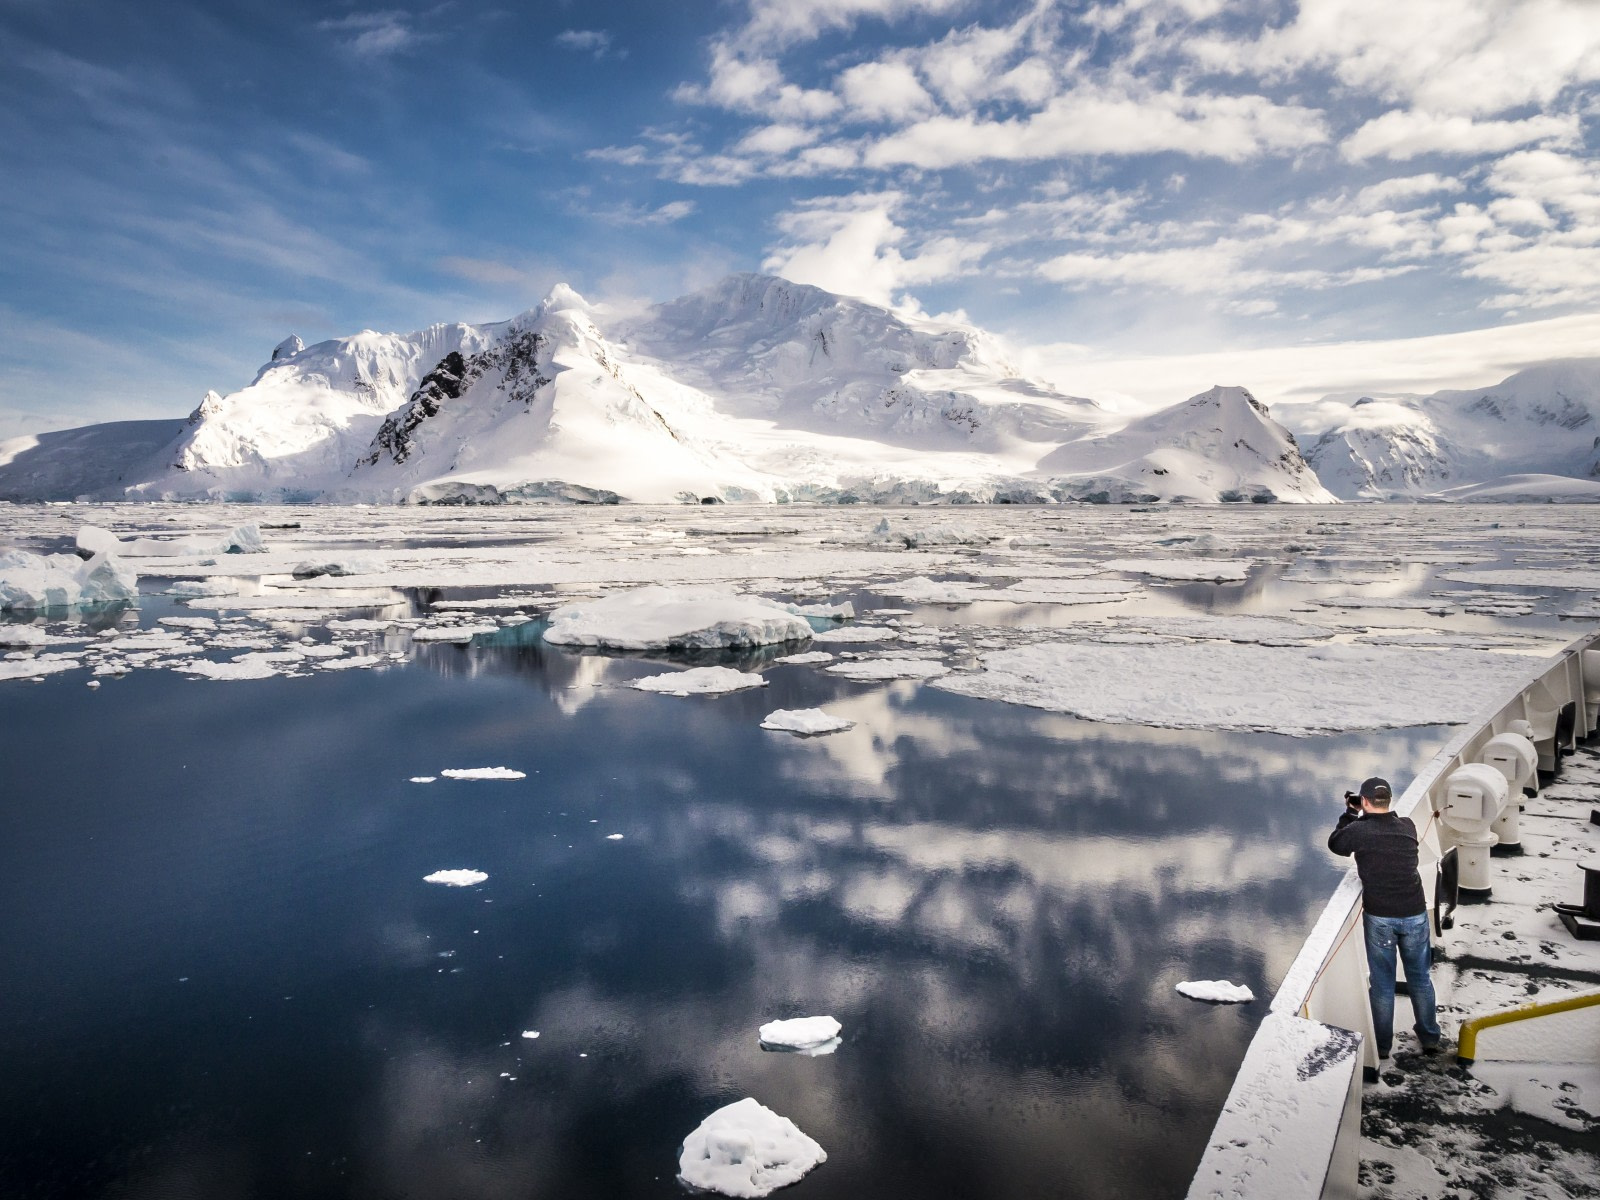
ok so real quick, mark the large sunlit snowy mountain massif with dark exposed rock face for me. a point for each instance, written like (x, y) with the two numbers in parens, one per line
(754, 390)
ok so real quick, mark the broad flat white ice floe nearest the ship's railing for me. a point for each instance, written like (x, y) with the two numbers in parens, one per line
(1298, 690)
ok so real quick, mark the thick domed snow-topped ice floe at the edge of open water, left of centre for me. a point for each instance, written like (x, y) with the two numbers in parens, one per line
(676, 618)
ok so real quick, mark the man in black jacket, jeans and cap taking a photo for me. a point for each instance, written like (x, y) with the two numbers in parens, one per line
(1394, 911)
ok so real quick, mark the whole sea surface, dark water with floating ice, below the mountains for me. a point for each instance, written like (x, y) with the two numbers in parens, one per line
(327, 874)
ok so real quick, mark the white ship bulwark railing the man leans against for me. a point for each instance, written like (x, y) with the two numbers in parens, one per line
(1290, 1129)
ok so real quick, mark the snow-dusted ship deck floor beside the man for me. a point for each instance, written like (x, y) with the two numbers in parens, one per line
(1433, 1129)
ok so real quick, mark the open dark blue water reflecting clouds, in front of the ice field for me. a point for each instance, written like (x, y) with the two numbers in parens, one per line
(225, 975)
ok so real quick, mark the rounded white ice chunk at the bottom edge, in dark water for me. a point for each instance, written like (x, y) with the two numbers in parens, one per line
(745, 1150)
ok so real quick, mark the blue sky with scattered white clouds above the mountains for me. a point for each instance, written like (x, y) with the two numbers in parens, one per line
(1130, 193)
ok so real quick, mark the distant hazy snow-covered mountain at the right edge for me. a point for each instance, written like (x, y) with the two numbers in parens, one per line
(1543, 420)
